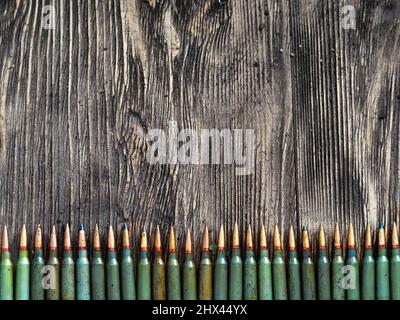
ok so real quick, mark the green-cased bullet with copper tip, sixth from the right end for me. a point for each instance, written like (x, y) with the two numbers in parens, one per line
(324, 268)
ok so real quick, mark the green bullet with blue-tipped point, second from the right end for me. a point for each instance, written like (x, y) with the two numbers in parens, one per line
(382, 267)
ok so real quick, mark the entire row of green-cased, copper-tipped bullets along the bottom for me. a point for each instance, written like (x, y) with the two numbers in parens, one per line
(220, 278)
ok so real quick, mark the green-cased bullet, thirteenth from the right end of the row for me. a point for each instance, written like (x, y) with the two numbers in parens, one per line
(221, 269)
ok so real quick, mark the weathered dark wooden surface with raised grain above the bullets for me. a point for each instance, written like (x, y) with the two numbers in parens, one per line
(76, 102)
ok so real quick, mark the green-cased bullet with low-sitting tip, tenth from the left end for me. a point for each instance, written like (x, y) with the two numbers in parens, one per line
(144, 270)
